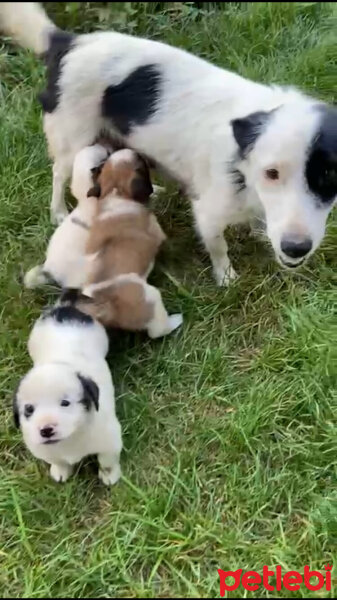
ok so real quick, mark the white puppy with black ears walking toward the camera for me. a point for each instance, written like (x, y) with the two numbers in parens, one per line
(65, 403)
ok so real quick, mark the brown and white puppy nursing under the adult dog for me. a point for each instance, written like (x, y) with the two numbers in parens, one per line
(124, 240)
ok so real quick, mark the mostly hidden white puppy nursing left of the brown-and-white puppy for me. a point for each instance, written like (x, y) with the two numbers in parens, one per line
(65, 258)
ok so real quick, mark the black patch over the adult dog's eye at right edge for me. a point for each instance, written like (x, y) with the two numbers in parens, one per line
(321, 166)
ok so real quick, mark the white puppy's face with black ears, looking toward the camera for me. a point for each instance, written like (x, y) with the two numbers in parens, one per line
(52, 402)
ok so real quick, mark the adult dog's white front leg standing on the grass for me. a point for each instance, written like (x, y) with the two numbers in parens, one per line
(211, 222)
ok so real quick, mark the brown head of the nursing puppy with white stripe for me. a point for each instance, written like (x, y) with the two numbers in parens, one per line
(125, 174)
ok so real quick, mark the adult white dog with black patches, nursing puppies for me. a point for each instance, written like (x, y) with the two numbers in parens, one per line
(241, 148)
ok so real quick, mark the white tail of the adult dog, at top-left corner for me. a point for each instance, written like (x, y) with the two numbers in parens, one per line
(27, 23)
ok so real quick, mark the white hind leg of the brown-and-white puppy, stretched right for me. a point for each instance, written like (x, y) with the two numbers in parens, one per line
(161, 322)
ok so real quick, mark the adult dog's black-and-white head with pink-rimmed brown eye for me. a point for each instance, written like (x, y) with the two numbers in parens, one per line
(288, 158)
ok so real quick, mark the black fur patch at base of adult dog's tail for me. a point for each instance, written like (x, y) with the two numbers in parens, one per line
(60, 42)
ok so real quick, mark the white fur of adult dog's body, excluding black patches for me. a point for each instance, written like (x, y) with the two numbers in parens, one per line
(190, 134)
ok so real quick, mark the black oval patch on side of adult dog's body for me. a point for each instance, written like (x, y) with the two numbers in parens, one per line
(134, 100)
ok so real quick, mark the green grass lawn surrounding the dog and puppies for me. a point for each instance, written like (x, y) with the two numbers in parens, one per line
(229, 425)
